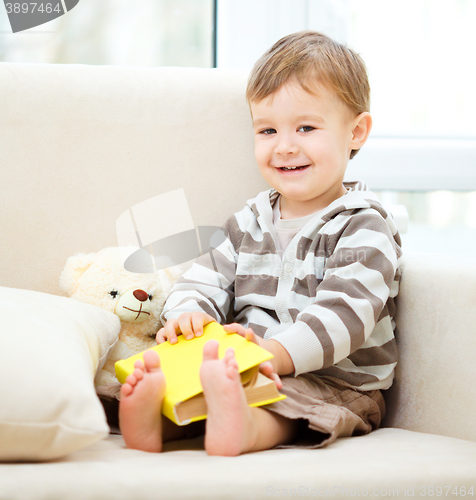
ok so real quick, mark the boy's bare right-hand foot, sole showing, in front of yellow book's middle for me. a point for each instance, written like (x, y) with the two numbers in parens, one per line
(230, 429)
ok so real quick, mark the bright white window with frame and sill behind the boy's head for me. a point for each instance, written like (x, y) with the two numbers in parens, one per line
(419, 53)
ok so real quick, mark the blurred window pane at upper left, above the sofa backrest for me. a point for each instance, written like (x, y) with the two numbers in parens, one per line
(119, 32)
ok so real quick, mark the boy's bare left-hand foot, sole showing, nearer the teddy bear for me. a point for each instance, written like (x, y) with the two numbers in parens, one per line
(140, 405)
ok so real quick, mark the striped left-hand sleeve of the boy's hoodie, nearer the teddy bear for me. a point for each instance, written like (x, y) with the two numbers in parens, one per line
(208, 286)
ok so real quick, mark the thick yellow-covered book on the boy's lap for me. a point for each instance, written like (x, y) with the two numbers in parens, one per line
(184, 401)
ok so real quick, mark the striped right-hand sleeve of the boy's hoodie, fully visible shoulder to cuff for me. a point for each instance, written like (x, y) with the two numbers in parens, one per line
(356, 285)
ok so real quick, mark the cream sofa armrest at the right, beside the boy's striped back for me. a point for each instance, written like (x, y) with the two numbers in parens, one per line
(435, 390)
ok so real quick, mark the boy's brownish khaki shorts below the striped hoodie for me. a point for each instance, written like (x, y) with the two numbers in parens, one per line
(327, 409)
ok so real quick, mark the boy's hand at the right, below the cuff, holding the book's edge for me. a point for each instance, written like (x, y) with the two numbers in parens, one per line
(281, 364)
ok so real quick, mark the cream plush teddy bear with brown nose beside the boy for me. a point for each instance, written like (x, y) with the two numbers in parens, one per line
(136, 297)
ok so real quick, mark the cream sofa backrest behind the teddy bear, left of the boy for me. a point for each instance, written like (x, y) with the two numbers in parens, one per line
(80, 145)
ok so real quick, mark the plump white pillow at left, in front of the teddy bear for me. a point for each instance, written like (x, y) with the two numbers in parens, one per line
(50, 350)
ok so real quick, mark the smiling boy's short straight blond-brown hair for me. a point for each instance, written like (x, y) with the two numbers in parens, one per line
(312, 58)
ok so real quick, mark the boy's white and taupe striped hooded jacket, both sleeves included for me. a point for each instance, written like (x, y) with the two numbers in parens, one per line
(329, 300)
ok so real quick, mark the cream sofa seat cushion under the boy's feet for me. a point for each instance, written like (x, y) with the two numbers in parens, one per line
(387, 463)
